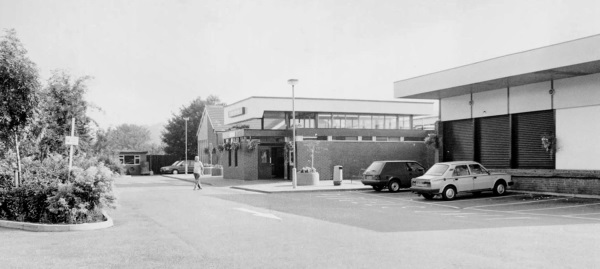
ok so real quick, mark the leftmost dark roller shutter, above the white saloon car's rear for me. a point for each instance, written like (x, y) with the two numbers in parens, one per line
(458, 140)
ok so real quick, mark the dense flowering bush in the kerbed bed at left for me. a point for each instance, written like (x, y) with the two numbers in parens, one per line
(50, 194)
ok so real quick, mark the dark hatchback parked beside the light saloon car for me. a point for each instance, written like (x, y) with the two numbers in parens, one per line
(392, 175)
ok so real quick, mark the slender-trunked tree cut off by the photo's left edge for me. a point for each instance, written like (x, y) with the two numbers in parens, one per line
(18, 87)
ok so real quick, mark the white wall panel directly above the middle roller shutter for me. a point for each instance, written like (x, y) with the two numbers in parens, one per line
(490, 103)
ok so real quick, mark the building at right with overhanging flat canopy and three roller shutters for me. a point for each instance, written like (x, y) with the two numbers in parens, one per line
(530, 113)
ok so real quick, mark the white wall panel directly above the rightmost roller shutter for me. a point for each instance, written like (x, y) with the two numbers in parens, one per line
(530, 97)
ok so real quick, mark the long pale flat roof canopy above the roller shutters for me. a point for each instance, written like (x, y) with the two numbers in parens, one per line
(569, 59)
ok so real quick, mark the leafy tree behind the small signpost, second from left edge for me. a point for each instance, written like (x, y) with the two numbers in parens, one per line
(62, 100)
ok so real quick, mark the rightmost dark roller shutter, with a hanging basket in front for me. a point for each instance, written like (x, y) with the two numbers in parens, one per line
(528, 129)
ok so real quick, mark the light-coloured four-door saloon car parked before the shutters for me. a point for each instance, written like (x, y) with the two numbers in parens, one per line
(450, 178)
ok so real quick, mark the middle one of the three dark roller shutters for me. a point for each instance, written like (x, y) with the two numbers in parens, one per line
(493, 141)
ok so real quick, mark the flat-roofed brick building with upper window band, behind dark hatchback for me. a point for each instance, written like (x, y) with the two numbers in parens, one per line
(257, 135)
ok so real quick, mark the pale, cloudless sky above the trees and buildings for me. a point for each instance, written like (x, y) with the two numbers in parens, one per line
(149, 58)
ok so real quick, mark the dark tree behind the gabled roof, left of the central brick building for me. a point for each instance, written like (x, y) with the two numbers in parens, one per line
(174, 134)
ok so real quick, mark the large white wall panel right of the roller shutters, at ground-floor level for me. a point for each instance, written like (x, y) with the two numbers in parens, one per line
(577, 135)
